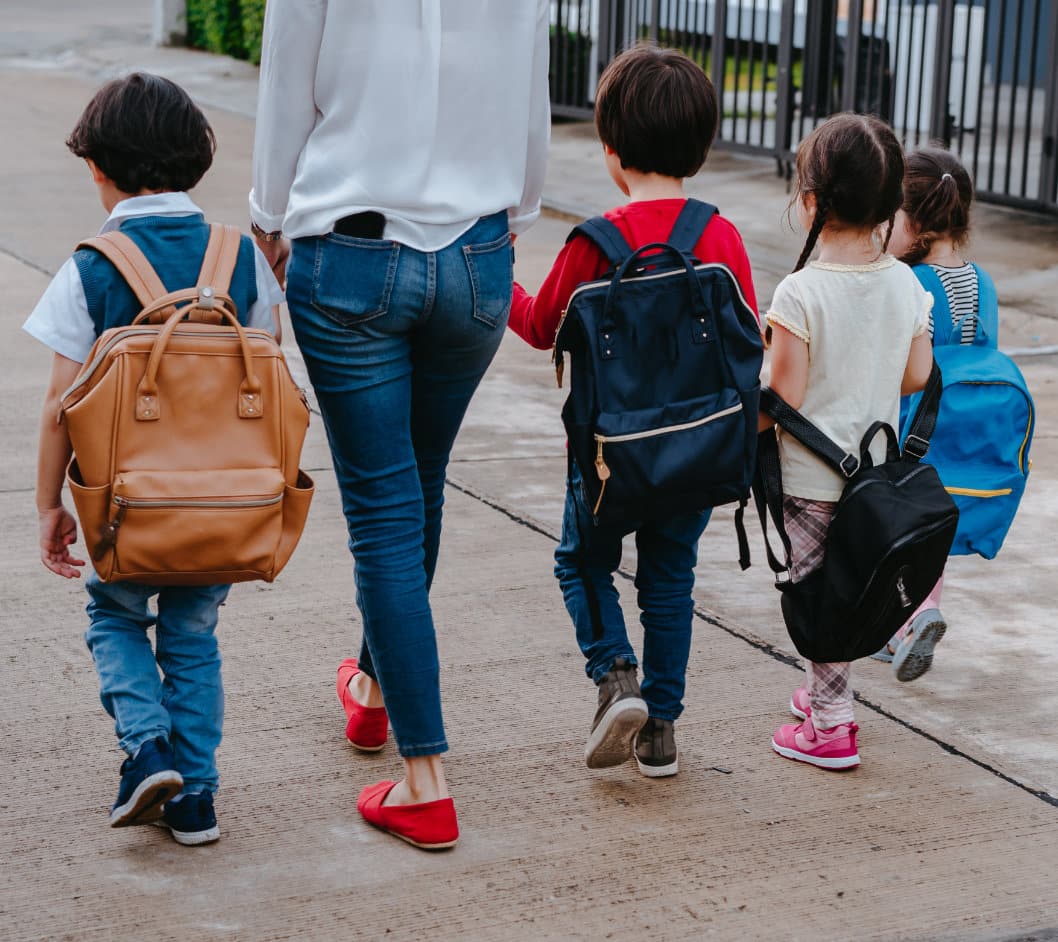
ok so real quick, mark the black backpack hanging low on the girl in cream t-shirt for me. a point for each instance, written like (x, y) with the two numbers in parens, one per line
(887, 545)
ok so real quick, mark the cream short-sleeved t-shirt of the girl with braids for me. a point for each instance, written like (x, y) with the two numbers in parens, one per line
(859, 322)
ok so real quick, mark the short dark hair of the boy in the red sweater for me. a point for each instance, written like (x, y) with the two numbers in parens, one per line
(658, 111)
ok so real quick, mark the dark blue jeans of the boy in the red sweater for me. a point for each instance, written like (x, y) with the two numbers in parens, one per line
(586, 561)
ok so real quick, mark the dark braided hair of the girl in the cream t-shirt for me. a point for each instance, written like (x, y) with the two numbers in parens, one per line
(853, 166)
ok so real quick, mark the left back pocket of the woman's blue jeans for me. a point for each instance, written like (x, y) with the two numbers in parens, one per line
(354, 278)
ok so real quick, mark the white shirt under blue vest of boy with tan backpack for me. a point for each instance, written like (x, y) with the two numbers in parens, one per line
(61, 320)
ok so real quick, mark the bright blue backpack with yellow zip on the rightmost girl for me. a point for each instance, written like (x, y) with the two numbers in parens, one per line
(984, 429)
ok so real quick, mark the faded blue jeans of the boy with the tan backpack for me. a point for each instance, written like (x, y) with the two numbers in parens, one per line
(187, 703)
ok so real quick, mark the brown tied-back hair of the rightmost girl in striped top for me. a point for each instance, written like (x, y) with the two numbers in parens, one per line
(938, 194)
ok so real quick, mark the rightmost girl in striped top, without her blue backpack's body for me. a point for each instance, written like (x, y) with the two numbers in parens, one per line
(931, 233)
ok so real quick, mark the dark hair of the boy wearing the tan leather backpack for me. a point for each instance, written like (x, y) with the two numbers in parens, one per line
(145, 133)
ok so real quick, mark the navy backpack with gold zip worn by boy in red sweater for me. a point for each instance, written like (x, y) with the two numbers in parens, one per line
(666, 359)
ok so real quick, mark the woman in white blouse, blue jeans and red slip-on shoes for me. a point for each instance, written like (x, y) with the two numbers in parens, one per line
(399, 146)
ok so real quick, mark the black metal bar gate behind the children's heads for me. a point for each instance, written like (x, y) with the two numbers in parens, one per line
(981, 77)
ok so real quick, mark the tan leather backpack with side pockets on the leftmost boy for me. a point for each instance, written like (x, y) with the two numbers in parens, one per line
(188, 431)
